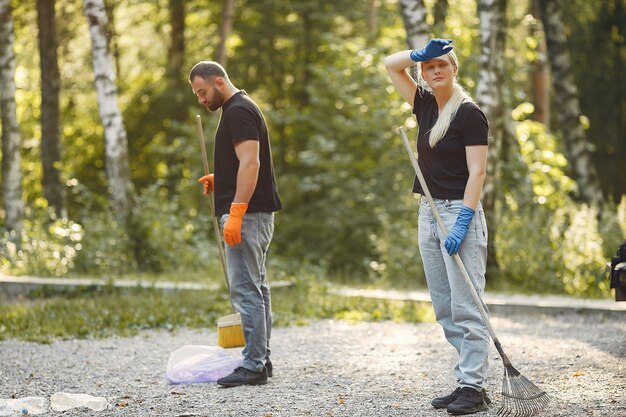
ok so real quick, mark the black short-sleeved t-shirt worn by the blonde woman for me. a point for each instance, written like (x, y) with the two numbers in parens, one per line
(445, 166)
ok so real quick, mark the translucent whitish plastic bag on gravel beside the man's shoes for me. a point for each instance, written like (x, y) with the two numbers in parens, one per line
(197, 363)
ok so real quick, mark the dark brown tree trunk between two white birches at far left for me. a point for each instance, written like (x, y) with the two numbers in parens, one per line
(50, 86)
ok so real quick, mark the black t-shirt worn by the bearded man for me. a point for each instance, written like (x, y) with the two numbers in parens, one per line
(242, 120)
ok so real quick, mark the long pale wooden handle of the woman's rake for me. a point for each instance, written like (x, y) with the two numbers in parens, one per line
(456, 256)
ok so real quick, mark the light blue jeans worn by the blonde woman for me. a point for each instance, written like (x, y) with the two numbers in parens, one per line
(455, 309)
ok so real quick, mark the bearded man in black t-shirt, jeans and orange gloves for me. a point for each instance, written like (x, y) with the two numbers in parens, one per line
(246, 198)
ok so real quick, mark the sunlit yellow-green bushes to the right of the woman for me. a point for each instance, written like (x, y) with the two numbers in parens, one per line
(570, 243)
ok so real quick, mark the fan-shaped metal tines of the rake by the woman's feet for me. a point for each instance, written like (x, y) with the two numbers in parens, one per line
(520, 397)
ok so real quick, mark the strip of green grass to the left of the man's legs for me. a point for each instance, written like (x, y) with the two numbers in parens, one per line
(106, 311)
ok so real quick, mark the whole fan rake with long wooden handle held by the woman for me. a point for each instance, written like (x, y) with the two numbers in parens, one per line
(520, 397)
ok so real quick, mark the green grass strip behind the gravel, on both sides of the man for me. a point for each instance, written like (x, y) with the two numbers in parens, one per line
(105, 311)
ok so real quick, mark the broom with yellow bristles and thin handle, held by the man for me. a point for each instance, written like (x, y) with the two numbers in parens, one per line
(229, 328)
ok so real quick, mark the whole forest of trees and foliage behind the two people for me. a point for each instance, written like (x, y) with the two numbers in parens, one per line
(100, 156)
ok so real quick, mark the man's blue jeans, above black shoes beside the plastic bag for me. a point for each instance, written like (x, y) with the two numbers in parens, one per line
(249, 288)
